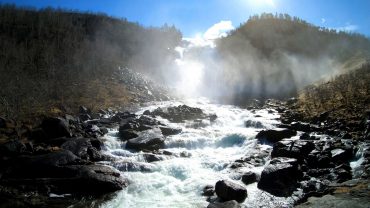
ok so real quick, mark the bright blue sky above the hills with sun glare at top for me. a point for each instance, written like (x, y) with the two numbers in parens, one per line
(194, 17)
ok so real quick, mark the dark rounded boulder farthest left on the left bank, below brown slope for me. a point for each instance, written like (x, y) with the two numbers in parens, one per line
(56, 127)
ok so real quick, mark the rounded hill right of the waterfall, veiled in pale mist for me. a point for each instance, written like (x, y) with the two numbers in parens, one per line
(275, 56)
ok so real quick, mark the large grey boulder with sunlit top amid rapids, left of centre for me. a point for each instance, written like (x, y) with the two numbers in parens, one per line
(147, 140)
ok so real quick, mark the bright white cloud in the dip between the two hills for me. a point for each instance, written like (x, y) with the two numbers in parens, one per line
(207, 38)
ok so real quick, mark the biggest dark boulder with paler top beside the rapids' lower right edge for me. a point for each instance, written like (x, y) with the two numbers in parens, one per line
(280, 177)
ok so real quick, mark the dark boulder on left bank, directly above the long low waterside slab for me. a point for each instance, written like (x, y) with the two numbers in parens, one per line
(83, 148)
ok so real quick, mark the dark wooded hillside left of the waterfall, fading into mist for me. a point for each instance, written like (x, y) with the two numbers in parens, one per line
(52, 57)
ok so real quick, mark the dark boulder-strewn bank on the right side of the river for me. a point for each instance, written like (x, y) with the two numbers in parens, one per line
(309, 161)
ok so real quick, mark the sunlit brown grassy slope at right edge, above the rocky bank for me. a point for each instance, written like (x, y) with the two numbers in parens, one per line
(347, 95)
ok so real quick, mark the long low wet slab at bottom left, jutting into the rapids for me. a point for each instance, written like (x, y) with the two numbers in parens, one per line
(79, 179)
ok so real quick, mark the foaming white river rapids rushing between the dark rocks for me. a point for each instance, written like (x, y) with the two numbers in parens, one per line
(178, 181)
